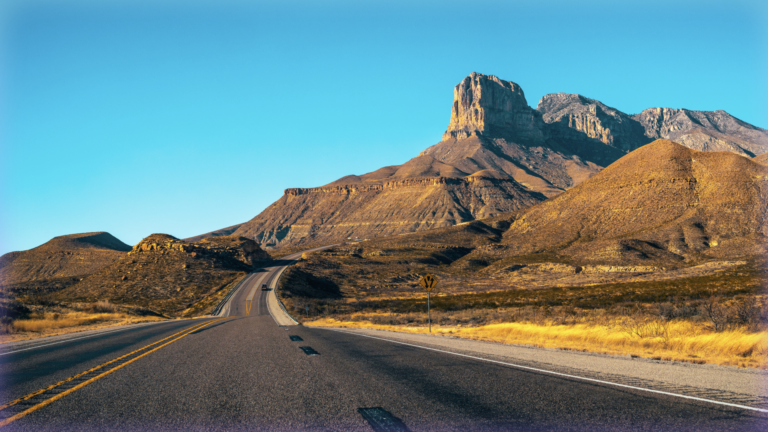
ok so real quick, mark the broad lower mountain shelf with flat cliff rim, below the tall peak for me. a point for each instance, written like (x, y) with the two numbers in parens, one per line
(328, 214)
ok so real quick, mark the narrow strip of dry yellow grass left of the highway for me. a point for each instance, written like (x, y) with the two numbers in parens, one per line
(50, 324)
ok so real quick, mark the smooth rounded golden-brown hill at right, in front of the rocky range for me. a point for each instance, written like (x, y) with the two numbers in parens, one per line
(662, 202)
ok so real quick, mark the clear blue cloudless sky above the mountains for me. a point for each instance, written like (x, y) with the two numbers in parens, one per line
(181, 117)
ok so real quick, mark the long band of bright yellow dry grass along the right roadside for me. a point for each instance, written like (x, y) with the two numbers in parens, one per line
(675, 340)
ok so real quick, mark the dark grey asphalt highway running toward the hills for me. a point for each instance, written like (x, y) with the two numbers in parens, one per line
(246, 373)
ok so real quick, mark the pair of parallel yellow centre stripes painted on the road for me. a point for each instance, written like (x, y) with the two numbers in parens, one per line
(174, 337)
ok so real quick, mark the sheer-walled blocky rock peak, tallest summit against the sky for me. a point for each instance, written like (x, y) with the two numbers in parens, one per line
(487, 105)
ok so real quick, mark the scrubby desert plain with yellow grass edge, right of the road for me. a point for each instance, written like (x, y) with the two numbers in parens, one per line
(713, 316)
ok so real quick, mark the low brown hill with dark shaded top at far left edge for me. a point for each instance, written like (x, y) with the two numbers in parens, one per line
(60, 262)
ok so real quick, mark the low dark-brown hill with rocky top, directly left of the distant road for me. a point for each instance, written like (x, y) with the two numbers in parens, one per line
(168, 275)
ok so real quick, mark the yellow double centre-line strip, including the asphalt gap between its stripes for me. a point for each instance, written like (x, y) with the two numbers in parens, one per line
(16, 409)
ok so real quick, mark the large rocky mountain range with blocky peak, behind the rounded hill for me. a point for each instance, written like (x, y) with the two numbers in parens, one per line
(497, 155)
